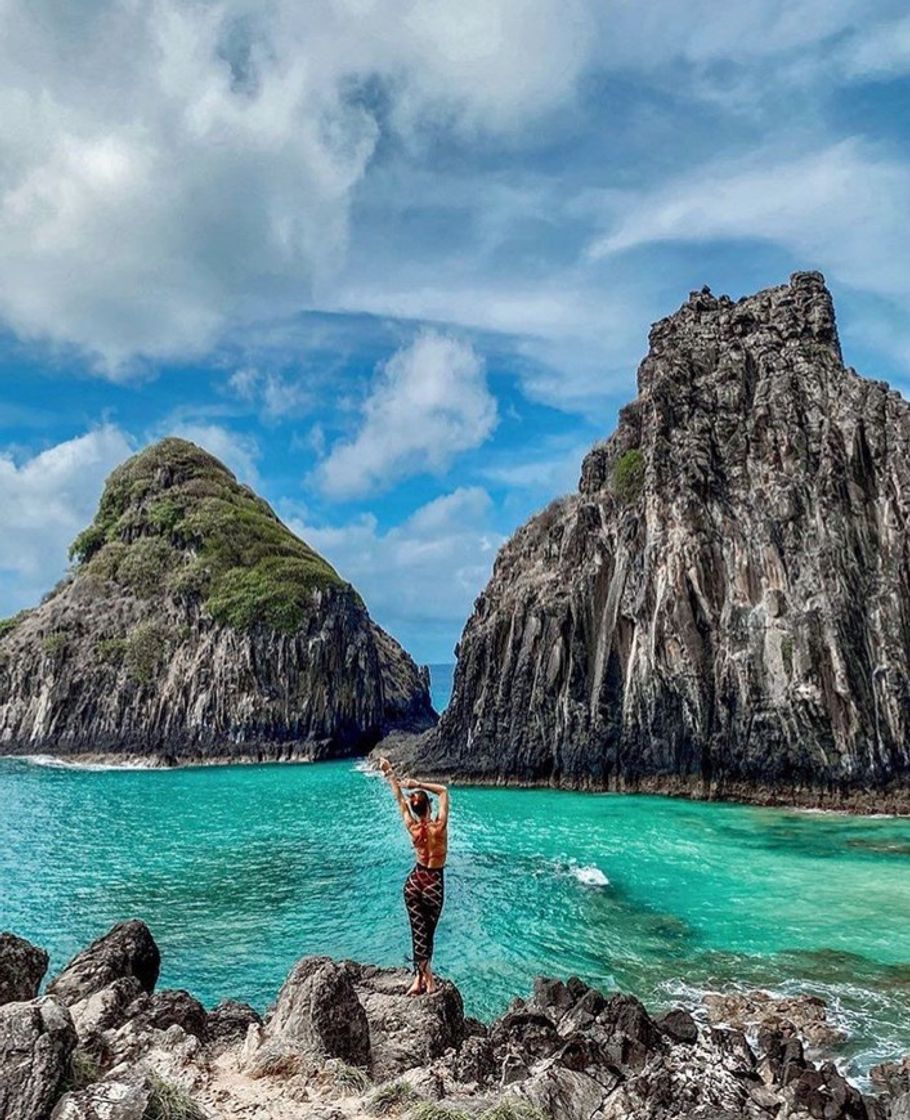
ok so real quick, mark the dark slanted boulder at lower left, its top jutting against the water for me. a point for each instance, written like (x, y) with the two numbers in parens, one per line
(127, 950)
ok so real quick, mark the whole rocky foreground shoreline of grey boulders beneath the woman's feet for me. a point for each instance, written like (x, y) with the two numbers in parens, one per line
(343, 1042)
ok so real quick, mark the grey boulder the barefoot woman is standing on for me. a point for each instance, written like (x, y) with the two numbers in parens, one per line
(407, 1032)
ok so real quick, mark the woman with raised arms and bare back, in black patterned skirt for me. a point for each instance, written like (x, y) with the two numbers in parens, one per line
(425, 888)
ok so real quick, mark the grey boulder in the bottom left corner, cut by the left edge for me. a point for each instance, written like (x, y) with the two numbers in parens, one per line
(38, 1040)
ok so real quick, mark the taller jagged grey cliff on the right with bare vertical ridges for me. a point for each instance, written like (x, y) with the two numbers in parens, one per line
(723, 609)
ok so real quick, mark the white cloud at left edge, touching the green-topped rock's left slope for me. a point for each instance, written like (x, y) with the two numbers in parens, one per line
(45, 502)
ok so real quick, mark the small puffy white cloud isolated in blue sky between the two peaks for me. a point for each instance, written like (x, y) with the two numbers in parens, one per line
(429, 404)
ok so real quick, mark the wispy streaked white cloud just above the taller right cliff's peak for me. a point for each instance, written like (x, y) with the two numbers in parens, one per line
(841, 209)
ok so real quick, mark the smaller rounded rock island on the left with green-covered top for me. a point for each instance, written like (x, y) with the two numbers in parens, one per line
(197, 626)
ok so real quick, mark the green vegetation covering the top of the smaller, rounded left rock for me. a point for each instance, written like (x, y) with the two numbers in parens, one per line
(175, 520)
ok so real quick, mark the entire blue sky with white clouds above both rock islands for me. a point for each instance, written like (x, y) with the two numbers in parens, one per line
(395, 262)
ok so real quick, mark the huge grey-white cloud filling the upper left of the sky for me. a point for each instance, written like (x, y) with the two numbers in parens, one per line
(171, 169)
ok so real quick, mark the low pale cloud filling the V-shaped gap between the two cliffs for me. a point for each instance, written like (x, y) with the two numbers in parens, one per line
(421, 577)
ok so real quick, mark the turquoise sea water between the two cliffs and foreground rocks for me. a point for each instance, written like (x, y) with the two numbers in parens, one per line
(240, 871)
